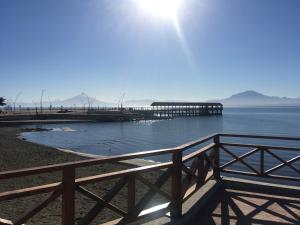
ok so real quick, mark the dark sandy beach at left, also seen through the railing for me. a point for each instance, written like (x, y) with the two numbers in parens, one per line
(17, 154)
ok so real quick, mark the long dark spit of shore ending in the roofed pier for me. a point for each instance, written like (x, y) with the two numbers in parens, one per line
(157, 110)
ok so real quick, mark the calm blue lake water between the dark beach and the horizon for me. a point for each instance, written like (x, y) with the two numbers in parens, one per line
(125, 137)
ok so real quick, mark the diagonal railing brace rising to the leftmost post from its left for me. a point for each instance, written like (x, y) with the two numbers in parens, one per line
(30, 213)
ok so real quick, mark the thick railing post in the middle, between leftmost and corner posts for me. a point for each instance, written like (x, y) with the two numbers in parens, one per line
(176, 205)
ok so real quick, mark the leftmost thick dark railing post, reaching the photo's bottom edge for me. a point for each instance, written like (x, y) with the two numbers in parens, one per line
(68, 196)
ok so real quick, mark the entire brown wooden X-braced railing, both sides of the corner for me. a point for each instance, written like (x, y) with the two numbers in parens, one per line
(187, 172)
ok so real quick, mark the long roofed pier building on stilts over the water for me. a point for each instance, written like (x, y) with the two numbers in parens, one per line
(185, 109)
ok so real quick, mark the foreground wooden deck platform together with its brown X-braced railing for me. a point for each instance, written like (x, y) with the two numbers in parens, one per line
(202, 188)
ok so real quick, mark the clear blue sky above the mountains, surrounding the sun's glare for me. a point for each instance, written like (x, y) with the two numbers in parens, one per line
(108, 47)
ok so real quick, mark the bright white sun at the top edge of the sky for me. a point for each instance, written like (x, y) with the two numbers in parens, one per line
(164, 9)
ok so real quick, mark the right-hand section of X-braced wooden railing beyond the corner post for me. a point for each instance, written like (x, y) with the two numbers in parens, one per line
(262, 152)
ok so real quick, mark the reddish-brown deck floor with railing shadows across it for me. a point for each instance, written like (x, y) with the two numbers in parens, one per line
(249, 206)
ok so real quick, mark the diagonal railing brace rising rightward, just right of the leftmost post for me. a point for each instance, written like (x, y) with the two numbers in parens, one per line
(90, 216)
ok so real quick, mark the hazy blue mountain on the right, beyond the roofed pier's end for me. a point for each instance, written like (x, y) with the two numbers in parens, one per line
(253, 98)
